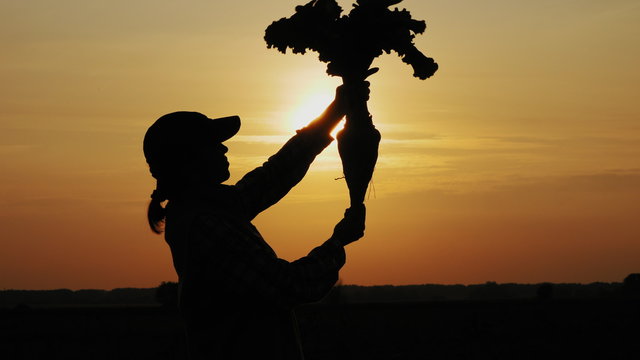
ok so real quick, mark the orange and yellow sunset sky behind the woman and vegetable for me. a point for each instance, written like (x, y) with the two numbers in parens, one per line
(519, 161)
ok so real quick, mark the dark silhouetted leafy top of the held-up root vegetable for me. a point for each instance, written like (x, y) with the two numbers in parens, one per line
(349, 43)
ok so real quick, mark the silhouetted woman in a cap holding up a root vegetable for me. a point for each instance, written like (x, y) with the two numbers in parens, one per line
(236, 295)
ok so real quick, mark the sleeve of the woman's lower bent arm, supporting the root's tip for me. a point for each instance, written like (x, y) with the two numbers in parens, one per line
(221, 255)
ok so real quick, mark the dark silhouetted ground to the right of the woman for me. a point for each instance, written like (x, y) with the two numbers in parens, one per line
(509, 329)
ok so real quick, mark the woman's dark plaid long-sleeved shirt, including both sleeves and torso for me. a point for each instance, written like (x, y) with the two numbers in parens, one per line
(236, 294)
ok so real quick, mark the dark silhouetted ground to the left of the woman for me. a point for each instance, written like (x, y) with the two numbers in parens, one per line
(149, 332)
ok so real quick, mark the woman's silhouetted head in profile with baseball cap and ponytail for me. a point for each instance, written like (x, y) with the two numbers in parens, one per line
(184, 150)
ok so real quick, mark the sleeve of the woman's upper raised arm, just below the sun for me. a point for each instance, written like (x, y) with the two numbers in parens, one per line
(267, 184)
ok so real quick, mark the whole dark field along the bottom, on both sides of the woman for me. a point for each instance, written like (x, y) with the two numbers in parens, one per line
(505, 329)
